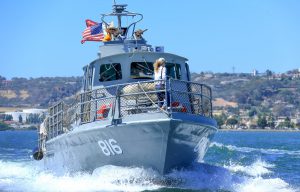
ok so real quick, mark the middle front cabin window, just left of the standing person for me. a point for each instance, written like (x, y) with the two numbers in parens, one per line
(141, 70)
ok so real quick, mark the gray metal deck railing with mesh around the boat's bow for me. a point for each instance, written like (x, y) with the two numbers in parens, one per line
(116, 102)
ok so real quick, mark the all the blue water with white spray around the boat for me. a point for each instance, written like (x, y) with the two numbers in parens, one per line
(235, 161)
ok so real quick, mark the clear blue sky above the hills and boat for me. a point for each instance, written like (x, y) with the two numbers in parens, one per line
(42, 38)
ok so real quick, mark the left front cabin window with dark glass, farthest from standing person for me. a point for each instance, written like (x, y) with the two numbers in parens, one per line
(110, 72)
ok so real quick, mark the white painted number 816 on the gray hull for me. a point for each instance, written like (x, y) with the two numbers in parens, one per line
(110, 147)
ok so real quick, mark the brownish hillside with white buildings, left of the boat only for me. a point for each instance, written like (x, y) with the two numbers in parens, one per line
(36, 92)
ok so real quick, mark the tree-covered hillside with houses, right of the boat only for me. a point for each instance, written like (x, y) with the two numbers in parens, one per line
(278, 95)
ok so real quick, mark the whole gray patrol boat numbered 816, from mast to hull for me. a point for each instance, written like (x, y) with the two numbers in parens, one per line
(116, 120)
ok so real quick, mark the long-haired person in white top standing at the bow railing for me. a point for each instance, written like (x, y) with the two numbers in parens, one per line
(160, 81)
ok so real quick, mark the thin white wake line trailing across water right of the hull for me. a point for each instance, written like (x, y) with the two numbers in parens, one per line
(261, 150)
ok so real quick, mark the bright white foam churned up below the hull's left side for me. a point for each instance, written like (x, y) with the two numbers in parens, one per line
(30, 177)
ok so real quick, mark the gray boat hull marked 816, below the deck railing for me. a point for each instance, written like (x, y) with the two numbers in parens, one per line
(163, 145)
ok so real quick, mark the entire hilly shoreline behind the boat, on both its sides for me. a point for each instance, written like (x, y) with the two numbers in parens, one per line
(278, 95)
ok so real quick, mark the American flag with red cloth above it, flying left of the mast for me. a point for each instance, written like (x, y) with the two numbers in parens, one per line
(93, 32)
